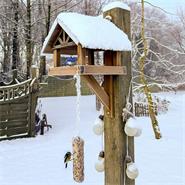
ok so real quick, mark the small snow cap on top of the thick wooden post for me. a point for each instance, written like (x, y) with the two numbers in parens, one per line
(116, 4)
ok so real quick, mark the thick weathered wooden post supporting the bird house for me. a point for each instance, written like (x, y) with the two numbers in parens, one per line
(114, 136)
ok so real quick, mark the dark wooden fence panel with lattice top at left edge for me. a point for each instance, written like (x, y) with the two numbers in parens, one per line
(17, 109)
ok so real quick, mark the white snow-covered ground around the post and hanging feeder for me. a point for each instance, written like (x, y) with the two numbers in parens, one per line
(39, 161)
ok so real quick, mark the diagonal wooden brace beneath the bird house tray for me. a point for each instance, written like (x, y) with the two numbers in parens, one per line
(97, 89)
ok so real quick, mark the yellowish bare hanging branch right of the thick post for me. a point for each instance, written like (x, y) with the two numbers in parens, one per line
(144, 82)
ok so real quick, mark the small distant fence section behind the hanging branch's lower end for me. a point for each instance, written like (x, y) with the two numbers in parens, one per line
(141, 109)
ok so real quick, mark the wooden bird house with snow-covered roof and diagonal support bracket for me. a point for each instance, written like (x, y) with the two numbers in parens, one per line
(80, 35)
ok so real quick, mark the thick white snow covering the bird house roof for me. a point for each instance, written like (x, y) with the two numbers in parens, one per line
(91, 32)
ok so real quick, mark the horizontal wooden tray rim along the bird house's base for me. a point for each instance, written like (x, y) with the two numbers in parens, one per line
(87, 70)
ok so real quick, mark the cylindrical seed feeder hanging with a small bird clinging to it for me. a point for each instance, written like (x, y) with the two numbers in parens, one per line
(78, 159)
